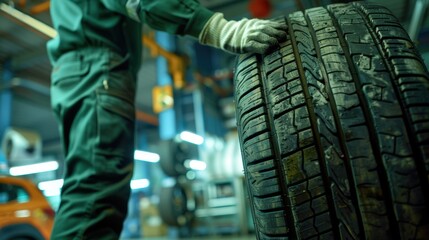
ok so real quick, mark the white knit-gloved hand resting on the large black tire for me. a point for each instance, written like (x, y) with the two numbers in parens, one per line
(244, 36)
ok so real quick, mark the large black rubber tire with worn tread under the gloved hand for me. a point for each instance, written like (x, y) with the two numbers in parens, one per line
(334, 128)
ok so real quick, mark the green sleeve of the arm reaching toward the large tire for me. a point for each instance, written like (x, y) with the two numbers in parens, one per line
(182, 17)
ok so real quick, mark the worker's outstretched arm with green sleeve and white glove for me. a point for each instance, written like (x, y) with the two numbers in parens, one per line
(188, 17)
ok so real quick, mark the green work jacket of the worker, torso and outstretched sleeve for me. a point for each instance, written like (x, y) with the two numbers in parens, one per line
(109, 23)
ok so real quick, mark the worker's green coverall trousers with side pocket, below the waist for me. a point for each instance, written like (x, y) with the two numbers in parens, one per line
(93, 98)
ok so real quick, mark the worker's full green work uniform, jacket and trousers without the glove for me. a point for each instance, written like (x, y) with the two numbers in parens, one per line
(95, 57)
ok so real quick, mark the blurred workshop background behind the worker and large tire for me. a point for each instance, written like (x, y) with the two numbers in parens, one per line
(188, 180)
